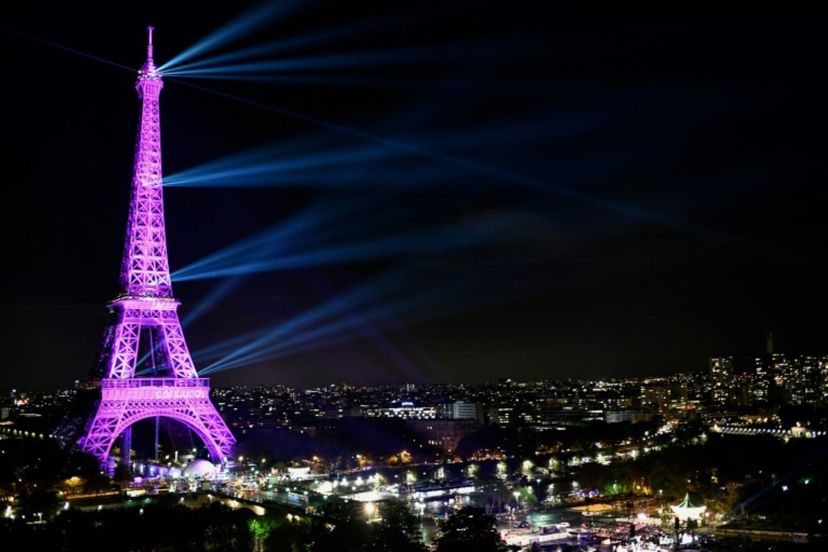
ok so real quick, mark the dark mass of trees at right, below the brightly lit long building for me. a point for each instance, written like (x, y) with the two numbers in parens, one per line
(738, 475)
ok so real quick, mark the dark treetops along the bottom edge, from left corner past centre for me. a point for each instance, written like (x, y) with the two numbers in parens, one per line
(168, 527)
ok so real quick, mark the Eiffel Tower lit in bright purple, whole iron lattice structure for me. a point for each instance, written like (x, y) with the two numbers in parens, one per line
(146, 304)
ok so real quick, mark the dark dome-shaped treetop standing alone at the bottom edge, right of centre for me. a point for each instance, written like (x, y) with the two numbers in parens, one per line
(472, 530)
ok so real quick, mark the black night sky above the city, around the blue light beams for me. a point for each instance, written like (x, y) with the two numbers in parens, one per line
(645, 187)
